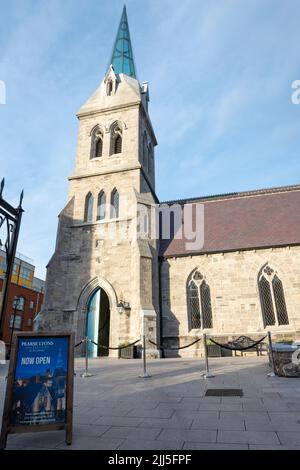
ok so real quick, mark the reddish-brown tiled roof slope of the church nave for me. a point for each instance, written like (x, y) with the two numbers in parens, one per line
(238, 221)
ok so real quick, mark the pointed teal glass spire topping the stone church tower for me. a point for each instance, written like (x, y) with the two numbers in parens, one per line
(122, 56)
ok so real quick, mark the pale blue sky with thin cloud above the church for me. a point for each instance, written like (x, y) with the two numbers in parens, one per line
(220, 74)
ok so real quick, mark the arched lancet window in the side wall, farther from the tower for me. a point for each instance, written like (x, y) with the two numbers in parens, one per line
(272, 298)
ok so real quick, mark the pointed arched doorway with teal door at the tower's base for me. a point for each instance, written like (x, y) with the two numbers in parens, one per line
(98, 323)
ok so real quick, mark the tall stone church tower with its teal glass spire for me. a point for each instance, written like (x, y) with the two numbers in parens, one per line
(102, 280)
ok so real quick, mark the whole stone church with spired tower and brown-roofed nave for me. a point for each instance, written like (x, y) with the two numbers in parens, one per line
(113, 278)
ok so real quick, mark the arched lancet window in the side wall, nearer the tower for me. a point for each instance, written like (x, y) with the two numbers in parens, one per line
(199, 302)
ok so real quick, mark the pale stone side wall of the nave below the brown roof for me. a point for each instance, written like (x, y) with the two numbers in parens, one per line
(232, 278)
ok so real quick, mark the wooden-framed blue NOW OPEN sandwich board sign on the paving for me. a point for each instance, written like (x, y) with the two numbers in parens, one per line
(39, 391)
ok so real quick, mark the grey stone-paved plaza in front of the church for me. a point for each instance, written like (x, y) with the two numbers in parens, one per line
(115, 409)
